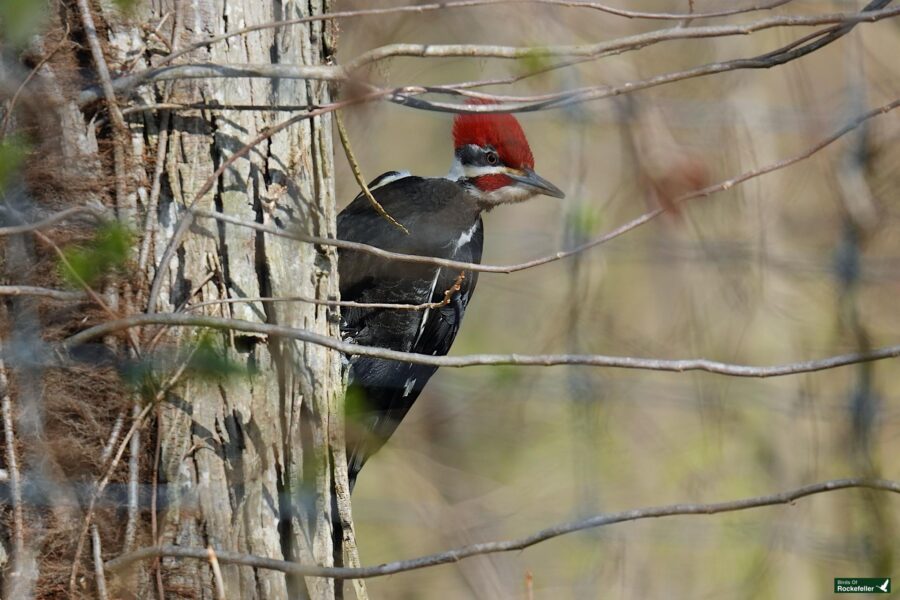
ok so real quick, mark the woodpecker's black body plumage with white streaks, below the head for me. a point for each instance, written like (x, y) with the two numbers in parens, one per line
(443, 220)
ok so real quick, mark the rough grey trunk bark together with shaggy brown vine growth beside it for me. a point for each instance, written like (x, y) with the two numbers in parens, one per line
(244, 461)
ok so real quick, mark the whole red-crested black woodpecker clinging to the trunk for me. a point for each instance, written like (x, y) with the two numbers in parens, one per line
(493, 165)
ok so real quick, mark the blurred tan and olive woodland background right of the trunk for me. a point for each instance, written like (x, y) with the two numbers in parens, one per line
(799, 264)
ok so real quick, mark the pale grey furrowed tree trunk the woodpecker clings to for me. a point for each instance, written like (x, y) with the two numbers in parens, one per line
(244, 462)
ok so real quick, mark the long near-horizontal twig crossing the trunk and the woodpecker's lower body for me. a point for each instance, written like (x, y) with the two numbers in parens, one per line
(545, 360)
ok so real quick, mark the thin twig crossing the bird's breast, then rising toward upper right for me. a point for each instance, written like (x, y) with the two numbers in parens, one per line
(610, 235)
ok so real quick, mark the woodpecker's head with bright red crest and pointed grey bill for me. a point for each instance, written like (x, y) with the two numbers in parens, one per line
(493, 159)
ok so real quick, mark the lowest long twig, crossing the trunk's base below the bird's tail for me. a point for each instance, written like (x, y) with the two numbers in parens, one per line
(457, 554)
